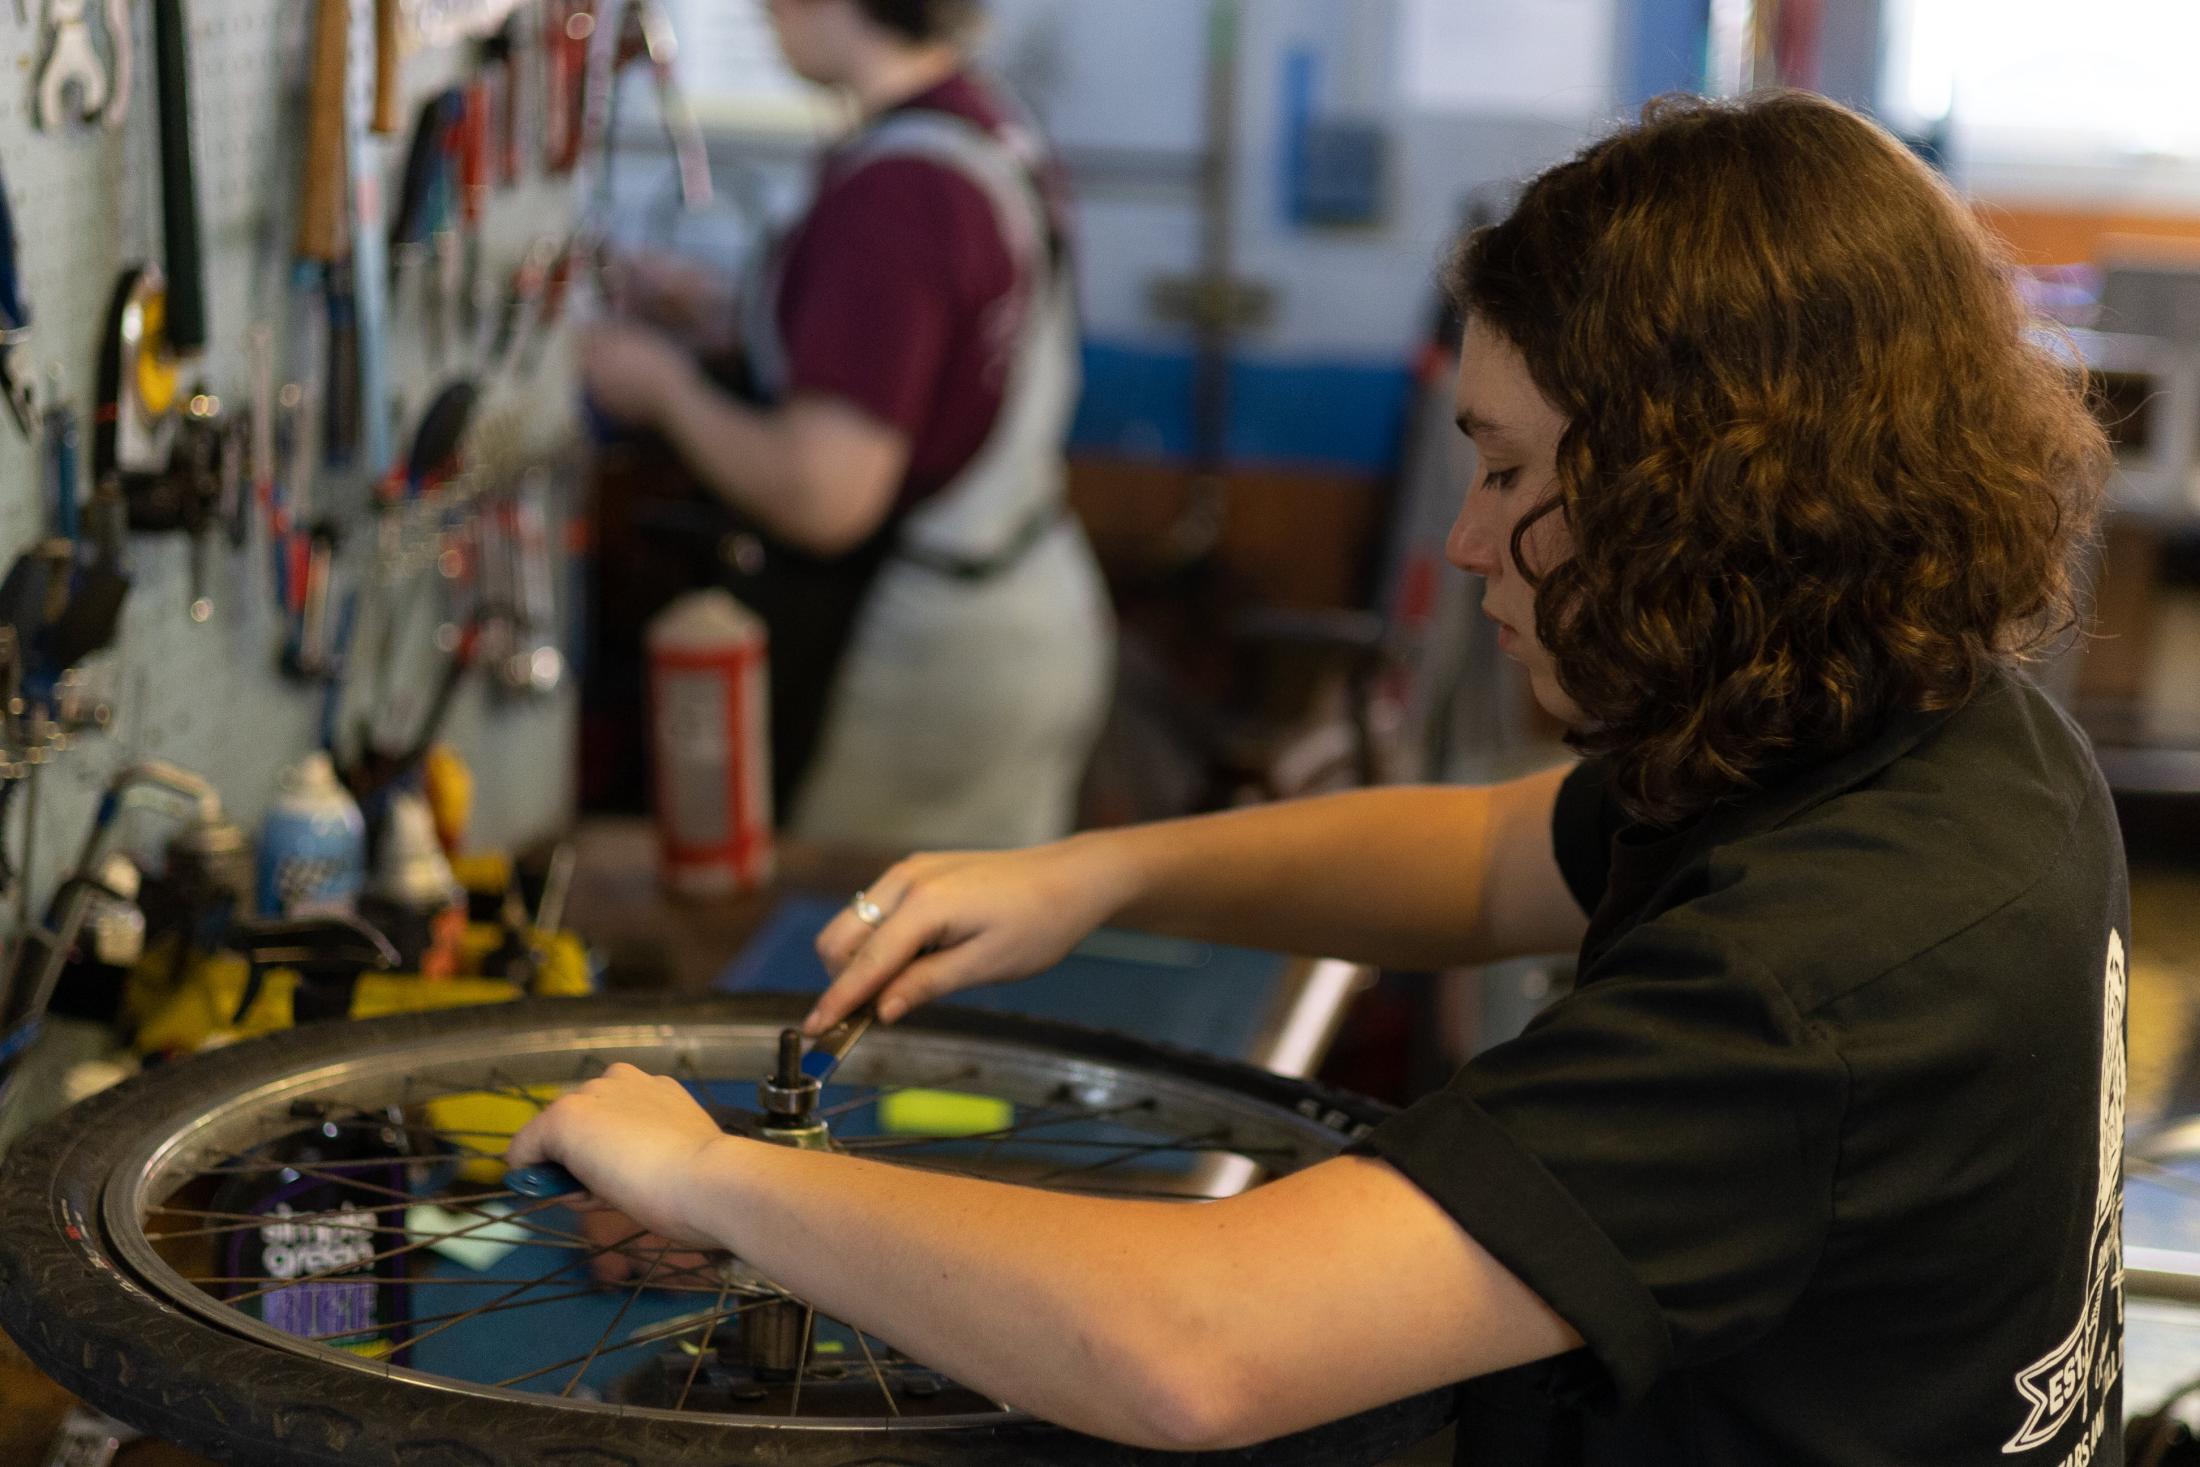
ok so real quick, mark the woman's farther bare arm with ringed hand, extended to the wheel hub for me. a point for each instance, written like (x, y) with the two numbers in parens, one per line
(1398, 876)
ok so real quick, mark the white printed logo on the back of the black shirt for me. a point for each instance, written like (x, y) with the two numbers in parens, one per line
(2071, 1380)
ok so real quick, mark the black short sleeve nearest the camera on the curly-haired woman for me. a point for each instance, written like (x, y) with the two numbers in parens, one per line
(1653, 1158)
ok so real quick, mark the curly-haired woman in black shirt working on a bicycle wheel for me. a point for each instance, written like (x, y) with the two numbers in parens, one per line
(1820, 1156)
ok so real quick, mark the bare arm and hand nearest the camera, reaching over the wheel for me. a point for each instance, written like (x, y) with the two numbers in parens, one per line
(1160, 1325)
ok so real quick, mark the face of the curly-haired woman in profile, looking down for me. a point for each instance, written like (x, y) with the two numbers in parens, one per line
(1515, 432)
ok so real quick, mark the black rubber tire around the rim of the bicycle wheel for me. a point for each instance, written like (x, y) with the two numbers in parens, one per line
(100, 1334)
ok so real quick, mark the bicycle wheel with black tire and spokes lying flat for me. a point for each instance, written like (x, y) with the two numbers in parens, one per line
(265, 1253)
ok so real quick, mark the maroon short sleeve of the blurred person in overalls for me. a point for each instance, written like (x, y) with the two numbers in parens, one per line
(888, 269)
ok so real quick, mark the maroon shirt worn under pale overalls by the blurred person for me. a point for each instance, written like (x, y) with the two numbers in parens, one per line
(894, 289)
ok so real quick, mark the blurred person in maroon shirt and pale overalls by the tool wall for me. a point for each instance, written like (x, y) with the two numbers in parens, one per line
(892, 445)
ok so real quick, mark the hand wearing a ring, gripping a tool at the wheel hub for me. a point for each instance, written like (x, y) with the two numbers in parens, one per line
(962, 920)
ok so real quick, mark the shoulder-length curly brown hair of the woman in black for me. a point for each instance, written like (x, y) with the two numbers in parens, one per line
(1818, 463)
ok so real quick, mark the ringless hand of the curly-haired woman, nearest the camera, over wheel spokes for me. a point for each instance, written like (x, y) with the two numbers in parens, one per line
(637, 1143)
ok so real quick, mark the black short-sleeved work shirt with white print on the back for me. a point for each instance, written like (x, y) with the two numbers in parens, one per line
(1823, 1156)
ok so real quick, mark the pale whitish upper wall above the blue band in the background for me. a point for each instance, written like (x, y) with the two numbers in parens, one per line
(1132, 76)
